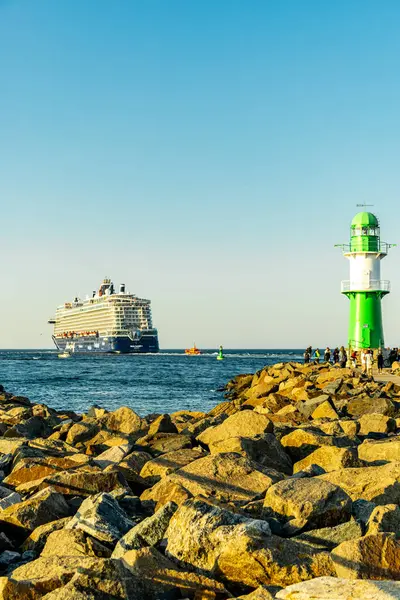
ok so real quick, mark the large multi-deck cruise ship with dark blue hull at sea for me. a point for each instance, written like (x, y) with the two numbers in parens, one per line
(108, 321)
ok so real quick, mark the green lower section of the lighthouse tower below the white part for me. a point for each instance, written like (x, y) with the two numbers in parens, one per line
(365, 323)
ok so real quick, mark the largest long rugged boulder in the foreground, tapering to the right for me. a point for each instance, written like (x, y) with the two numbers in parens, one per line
(241, 551)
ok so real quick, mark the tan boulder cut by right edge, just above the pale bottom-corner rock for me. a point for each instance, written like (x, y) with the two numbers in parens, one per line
(375, 556)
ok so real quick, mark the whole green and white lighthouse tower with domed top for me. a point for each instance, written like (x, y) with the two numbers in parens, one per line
(365, 288)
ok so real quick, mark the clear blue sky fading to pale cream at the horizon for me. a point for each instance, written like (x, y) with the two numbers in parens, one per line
(208, 153)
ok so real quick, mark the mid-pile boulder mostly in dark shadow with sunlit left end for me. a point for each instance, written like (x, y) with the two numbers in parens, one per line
(264, 449)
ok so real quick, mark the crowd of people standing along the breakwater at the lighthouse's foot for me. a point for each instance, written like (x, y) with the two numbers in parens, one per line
(364, 357)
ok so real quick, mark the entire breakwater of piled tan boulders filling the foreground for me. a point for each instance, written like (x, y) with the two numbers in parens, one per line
(287, 489)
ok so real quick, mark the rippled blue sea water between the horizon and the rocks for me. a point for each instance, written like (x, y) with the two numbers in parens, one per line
(151, 383)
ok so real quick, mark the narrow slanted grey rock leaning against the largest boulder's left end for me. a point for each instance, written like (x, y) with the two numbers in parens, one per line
(148, 532)
